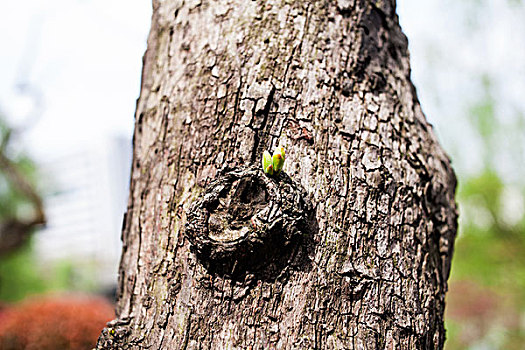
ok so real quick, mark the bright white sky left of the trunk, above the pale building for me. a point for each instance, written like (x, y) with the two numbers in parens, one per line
(83, 60)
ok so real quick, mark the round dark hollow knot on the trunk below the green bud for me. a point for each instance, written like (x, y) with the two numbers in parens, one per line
(245, 220)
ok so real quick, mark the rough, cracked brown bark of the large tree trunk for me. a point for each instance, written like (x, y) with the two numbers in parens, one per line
(367, 265)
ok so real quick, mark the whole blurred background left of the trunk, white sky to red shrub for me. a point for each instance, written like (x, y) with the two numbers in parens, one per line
(69, 79)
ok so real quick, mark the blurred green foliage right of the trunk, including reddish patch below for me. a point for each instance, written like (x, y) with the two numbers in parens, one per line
(490, 248)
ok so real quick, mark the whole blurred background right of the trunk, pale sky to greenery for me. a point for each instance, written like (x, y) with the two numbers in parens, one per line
(468, 65)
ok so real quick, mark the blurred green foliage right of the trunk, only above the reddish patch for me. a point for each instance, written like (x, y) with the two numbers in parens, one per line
(490, 245)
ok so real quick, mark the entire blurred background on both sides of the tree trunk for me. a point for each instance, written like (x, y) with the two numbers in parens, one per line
(69, 79)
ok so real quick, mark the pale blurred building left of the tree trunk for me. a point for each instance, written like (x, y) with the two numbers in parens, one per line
(85, 204)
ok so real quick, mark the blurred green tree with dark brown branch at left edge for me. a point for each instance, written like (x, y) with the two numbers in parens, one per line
(21, 213)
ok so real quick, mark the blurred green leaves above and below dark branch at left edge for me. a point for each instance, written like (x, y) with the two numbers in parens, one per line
(20, 272)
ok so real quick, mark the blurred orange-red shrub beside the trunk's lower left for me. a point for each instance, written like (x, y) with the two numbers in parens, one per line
(54, 323)
